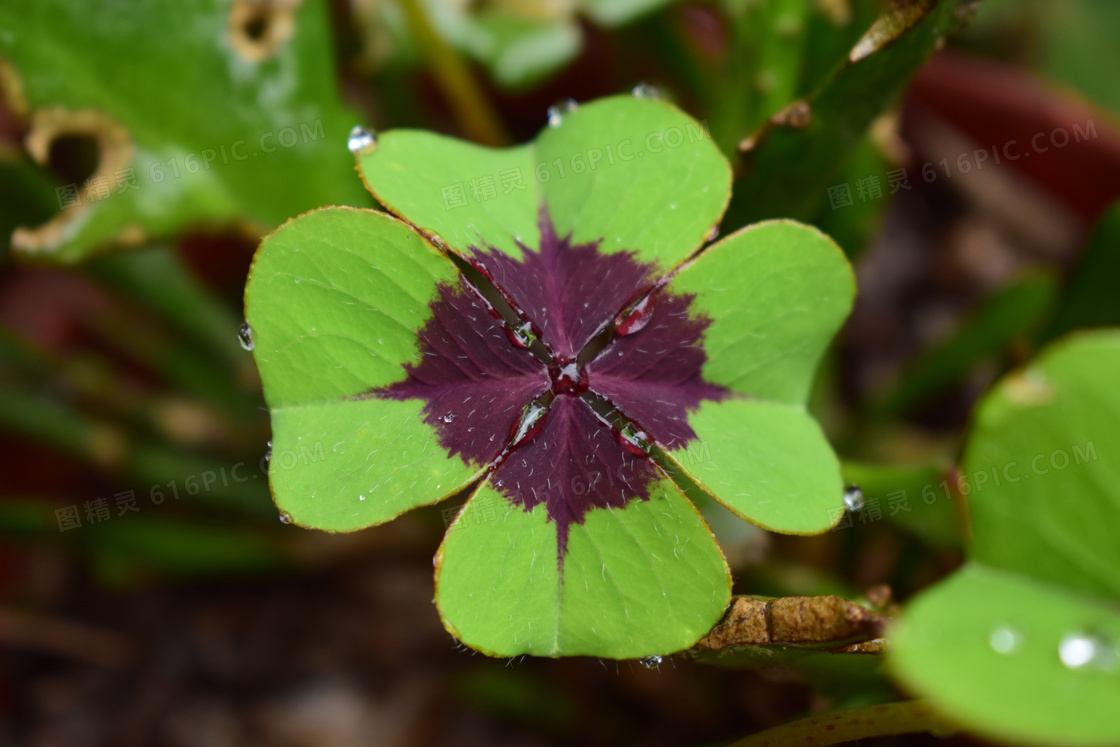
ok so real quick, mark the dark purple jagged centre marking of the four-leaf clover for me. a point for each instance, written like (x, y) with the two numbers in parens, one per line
(493, 403)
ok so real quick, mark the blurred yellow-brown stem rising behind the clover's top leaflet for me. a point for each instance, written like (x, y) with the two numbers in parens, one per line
(453, 74)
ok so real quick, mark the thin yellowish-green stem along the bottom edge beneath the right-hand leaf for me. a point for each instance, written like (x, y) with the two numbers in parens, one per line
(853, 724)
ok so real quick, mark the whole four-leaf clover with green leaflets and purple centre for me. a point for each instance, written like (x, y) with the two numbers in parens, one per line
(547, 321)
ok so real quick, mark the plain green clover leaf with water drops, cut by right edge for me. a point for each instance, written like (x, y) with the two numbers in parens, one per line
(1022, 643)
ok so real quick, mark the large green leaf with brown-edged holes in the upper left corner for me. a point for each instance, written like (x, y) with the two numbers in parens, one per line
(204, 114)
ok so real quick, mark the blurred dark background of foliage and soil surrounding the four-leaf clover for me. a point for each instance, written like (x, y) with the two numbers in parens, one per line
(148, 593)
